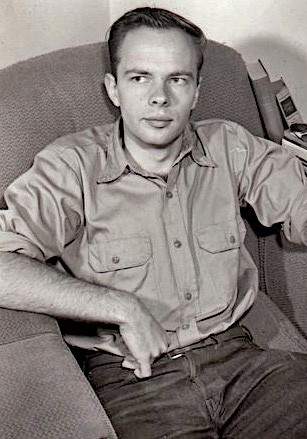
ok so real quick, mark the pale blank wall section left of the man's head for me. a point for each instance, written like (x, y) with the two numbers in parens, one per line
(32, 27)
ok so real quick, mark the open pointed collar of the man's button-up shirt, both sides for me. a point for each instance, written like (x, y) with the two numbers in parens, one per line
(193, 141)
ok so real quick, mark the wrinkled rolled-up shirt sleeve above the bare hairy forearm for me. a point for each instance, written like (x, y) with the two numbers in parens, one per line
(44, 208)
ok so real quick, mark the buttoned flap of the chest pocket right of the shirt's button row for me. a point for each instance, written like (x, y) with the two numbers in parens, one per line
(219, 237)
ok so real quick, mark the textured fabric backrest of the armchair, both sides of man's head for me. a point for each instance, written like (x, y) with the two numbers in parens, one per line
(61, 92)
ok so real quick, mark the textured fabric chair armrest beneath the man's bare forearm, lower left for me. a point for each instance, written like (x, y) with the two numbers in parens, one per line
(43, 391)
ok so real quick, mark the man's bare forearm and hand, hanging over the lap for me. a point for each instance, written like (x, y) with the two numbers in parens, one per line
(29, 285)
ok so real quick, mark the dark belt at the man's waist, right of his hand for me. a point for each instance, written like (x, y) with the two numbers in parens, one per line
(234, 332)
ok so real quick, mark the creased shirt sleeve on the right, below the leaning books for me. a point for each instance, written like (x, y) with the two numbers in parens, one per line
(273, 182)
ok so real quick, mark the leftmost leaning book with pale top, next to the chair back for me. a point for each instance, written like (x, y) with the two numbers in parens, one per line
(266, 101)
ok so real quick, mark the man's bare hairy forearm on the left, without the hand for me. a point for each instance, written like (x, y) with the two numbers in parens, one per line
(30, 285)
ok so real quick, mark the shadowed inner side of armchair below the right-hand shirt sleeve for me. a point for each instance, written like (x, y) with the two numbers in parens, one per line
(278, 319)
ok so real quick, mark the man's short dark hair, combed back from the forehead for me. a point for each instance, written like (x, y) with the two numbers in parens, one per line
(154, 18)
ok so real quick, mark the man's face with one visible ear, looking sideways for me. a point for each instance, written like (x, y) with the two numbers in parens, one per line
(156, 86)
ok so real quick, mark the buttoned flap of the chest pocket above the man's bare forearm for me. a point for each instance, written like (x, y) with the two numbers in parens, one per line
(118, 254)
